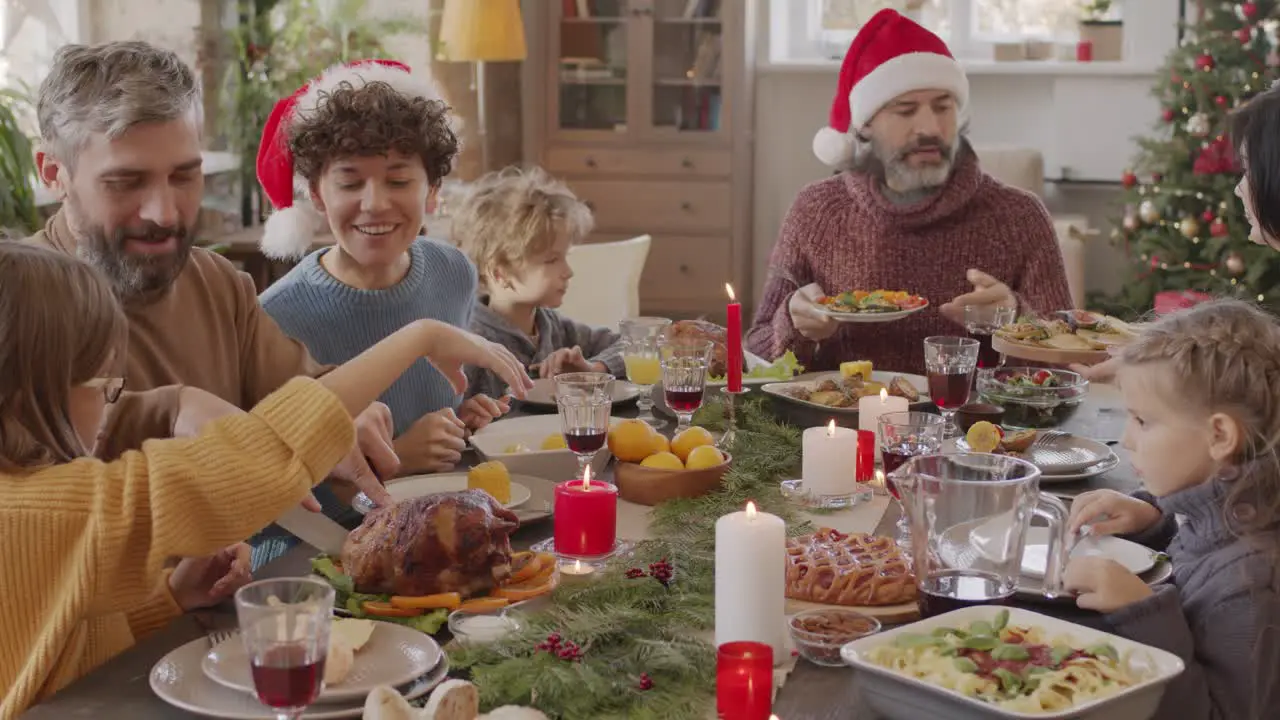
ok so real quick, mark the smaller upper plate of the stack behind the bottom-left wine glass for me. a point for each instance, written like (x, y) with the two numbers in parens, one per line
(395, 655)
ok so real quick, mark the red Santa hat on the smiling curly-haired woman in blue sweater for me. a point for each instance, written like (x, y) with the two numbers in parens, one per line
(292, 229)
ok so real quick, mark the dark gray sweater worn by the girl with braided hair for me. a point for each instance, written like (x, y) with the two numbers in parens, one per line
(1220, 616)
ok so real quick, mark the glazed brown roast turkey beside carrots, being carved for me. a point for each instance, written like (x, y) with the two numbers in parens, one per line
(446, 543)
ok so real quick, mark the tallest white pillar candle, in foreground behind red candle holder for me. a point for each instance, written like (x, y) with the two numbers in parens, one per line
(751, 580)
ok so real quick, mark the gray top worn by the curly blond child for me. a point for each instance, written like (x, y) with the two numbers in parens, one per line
(555, 331)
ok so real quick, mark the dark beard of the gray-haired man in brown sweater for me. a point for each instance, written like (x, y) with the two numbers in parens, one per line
(136, 276)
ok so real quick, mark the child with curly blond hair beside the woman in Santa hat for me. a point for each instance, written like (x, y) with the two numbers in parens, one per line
(518, 227)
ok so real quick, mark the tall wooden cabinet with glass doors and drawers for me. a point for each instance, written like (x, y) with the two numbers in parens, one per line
(644, 107)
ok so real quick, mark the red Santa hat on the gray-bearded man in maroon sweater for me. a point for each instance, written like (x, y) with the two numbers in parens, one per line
(892, 56)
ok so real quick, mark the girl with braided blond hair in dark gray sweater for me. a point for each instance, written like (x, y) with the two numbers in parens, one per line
(1201, 389)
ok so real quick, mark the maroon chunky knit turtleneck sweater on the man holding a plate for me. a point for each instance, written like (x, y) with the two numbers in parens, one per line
(844, 234)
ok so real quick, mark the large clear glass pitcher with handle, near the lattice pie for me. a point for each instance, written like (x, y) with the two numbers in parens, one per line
(970, 516)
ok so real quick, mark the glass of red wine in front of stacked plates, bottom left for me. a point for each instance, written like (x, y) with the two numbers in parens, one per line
(285, 625)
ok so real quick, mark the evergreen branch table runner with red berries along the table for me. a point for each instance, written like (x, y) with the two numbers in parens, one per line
(628, 642)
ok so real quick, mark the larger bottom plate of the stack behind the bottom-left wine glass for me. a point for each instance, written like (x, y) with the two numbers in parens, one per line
(179, 680)
